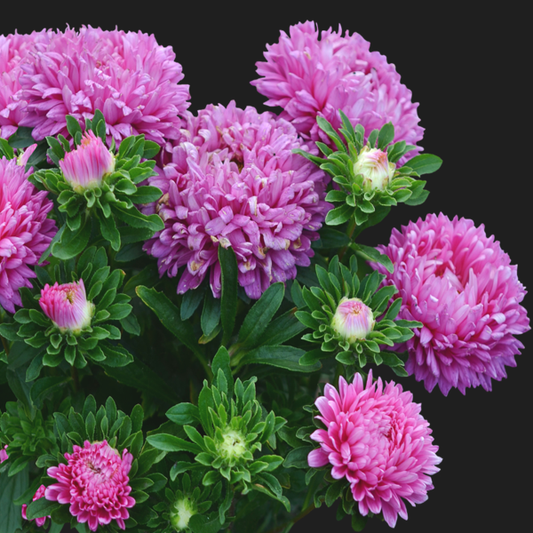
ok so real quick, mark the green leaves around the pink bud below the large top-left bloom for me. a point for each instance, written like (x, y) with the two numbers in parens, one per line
(112, 203)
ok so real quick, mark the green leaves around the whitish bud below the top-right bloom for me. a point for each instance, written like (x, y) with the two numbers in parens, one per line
(368, 207)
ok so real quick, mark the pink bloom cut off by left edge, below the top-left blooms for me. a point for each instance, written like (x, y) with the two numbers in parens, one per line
(25, 232)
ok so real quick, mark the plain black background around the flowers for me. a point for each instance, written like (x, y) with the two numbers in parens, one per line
(467, 70)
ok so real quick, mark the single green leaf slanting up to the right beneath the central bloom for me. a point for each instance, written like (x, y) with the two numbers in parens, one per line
(261, 313)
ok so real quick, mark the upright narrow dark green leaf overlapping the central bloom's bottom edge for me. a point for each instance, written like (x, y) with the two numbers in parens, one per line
(228, 300)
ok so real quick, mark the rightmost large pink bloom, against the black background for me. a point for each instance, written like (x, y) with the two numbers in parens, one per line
(462, 287)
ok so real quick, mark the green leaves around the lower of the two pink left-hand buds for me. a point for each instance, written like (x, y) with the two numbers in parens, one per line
(54, 346)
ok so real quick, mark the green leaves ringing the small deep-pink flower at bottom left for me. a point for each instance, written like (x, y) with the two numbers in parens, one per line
(121, 432)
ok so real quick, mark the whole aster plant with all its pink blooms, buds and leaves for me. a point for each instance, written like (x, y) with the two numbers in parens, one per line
(208, 266)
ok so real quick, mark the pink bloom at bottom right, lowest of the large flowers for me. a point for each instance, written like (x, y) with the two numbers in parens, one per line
(376, 438)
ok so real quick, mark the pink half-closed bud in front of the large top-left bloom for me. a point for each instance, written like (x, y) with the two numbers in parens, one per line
(85, 167)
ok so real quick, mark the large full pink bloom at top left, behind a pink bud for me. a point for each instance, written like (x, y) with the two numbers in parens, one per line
(128, 76)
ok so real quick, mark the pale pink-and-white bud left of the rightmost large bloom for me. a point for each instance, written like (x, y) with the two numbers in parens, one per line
(353, 320)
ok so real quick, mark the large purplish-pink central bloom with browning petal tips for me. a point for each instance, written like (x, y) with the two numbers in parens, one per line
(234, 182)
